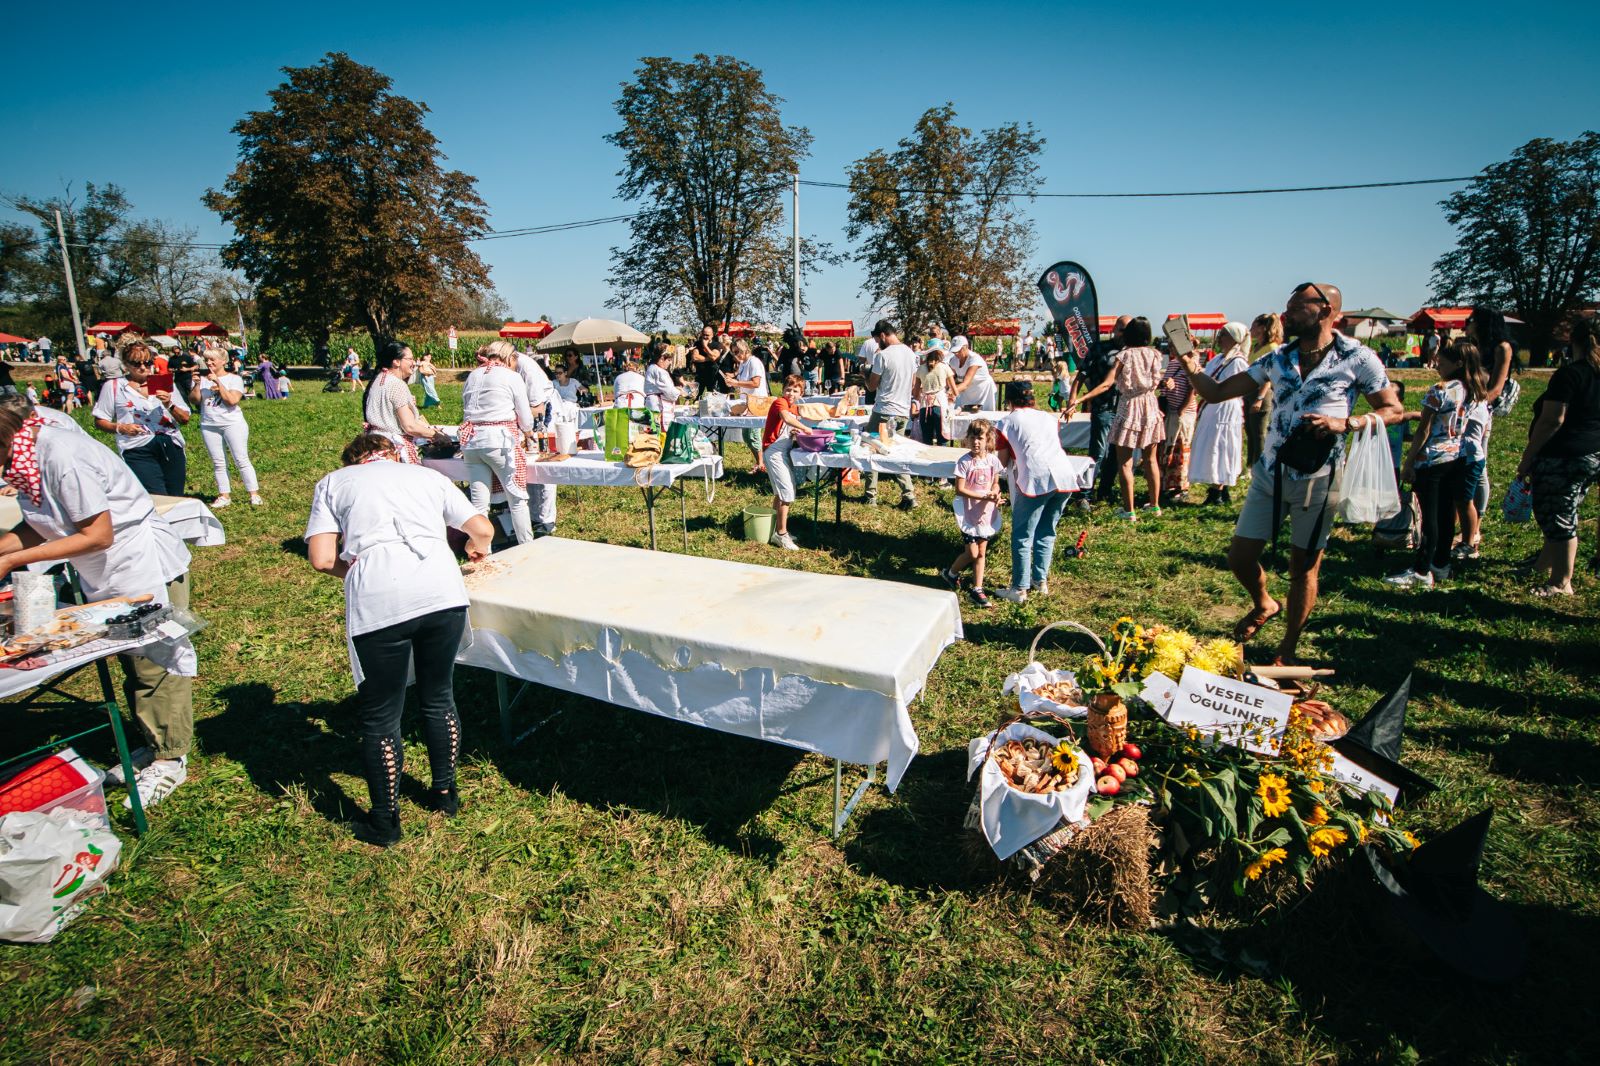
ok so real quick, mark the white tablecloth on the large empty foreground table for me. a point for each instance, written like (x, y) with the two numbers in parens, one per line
(814, 662)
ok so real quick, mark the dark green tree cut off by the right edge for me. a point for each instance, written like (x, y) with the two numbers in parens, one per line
(1529, 236)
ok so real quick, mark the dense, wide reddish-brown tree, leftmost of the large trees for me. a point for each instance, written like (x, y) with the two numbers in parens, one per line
(342, 210)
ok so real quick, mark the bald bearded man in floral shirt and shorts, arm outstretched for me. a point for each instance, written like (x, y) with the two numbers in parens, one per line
(1316, 382)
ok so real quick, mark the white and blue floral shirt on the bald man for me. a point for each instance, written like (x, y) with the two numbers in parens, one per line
(1345, 375)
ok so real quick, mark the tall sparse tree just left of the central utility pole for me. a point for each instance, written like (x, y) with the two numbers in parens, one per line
(710, 158)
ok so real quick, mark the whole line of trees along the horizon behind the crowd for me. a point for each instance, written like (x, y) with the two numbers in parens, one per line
(346, 218)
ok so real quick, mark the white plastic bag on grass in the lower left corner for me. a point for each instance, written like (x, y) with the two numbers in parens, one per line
(50, 867)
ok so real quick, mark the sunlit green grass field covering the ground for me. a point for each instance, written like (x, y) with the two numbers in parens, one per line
(684, 904)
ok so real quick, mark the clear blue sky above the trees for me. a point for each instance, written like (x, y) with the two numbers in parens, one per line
(1151, 97)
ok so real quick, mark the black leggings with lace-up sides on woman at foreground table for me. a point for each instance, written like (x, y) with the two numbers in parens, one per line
(431, 643)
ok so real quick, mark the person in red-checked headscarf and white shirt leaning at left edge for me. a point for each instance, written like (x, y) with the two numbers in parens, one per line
(82, 503)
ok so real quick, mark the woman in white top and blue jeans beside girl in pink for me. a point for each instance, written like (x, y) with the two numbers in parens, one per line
(1030, 444)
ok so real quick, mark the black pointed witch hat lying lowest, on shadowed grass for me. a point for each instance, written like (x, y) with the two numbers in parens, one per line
(1436, 896)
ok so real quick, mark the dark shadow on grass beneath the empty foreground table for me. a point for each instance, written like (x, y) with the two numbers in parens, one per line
(607, 756)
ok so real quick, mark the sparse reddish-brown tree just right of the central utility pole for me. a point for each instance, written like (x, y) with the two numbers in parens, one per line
(940, 225)
